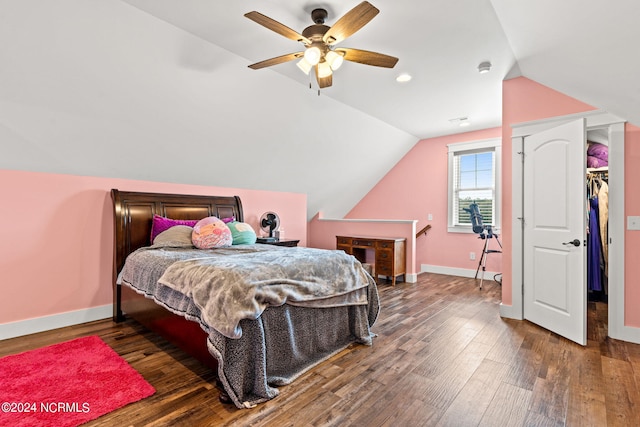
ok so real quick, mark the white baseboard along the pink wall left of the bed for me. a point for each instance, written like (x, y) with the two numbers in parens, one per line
(47, 323)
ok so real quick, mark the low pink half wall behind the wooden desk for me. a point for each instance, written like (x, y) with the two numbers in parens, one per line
(323, 232)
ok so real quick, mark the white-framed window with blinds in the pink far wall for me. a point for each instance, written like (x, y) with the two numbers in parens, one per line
(474, 177)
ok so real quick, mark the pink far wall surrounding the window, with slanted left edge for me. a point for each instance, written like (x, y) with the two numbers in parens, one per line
(416, 187)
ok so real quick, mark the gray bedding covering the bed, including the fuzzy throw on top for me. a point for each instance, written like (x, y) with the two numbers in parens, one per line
(297, 307)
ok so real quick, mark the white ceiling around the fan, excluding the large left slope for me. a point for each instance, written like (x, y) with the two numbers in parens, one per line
(584, 48)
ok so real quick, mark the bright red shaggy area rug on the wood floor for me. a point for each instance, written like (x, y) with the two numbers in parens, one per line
(67, 384)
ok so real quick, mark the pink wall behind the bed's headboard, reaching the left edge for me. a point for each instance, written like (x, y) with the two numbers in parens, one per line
(57, 237)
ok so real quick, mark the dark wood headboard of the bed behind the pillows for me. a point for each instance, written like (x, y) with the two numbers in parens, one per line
(133, 213)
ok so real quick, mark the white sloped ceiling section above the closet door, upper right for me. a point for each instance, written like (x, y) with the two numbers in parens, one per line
(584, 49)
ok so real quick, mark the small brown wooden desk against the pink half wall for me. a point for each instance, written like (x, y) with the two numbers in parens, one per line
(390, 253)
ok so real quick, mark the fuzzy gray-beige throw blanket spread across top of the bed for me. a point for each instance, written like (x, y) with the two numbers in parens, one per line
(230, 285)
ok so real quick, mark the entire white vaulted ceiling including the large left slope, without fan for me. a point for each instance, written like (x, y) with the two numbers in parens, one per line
(160, 89)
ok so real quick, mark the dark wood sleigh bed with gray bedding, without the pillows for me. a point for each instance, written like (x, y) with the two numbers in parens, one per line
(259, 352)
